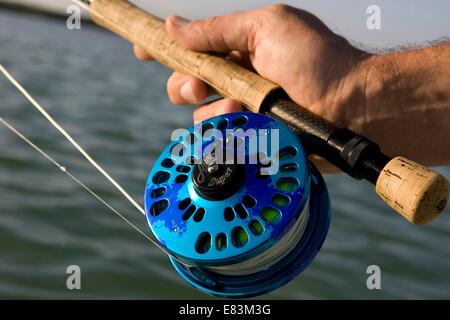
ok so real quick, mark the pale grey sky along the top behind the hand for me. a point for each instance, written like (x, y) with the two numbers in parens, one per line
(403, 22)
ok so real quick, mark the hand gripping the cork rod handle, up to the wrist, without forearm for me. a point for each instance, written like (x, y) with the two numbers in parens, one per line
(288, 46)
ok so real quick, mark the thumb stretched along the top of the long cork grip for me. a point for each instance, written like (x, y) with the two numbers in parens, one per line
(221, 34)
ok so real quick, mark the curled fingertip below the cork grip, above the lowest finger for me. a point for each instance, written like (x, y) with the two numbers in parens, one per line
(186, 89)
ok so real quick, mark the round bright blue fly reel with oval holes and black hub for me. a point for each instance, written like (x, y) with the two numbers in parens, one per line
(237, 204)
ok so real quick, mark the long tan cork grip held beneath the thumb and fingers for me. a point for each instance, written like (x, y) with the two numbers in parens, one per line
(149, 33)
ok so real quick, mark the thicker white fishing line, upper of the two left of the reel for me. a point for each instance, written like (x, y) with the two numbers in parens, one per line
(50, 119)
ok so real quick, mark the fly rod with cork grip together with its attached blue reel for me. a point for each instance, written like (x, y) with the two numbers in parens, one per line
(230, 230)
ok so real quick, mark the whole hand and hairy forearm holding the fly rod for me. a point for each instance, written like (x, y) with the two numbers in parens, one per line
(400, 100)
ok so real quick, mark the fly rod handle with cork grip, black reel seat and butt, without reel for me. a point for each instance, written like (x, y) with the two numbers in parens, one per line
(416, 192)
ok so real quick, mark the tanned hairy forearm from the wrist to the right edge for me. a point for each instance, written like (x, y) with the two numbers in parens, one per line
(406, 103)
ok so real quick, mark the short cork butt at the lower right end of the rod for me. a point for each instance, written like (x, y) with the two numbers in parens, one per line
(416, 192)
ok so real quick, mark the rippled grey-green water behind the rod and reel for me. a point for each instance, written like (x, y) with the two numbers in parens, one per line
(117, 109)
